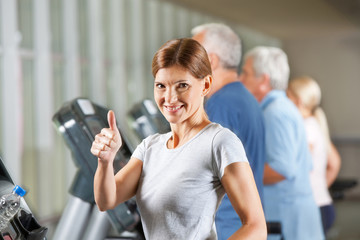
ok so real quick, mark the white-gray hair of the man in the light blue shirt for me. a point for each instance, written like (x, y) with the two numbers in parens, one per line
(273, 62)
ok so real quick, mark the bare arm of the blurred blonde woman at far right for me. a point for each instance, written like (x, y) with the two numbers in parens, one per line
(333, 165)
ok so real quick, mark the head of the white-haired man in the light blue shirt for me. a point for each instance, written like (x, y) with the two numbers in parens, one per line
(265, 69)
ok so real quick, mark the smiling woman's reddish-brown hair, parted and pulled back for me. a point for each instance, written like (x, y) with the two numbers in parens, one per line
(186, 53)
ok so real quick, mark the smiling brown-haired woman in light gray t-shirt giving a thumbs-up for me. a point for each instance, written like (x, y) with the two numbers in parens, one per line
(179, 178)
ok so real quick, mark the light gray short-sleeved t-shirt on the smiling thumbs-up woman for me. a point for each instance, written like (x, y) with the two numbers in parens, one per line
(179, 189)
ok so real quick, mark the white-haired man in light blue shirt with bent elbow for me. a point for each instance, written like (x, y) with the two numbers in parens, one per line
(288, 195)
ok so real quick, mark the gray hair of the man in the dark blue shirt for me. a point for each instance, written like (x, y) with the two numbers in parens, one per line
(222, 41)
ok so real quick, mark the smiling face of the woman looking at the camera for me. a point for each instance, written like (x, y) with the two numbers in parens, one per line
(178, 94)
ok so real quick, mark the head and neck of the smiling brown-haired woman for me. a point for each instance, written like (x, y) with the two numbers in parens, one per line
(183, 78)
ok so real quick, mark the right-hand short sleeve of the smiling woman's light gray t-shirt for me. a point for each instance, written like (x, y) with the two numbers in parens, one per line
(227, 149)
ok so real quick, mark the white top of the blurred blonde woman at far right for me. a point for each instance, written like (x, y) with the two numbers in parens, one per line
(318, 151)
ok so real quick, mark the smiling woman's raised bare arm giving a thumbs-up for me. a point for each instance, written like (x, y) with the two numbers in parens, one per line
(109, 189)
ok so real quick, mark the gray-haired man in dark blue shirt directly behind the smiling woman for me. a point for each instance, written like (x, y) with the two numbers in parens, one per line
(232, 105)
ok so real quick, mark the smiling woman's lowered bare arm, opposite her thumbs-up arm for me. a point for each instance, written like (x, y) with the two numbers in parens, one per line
(240, 187)
